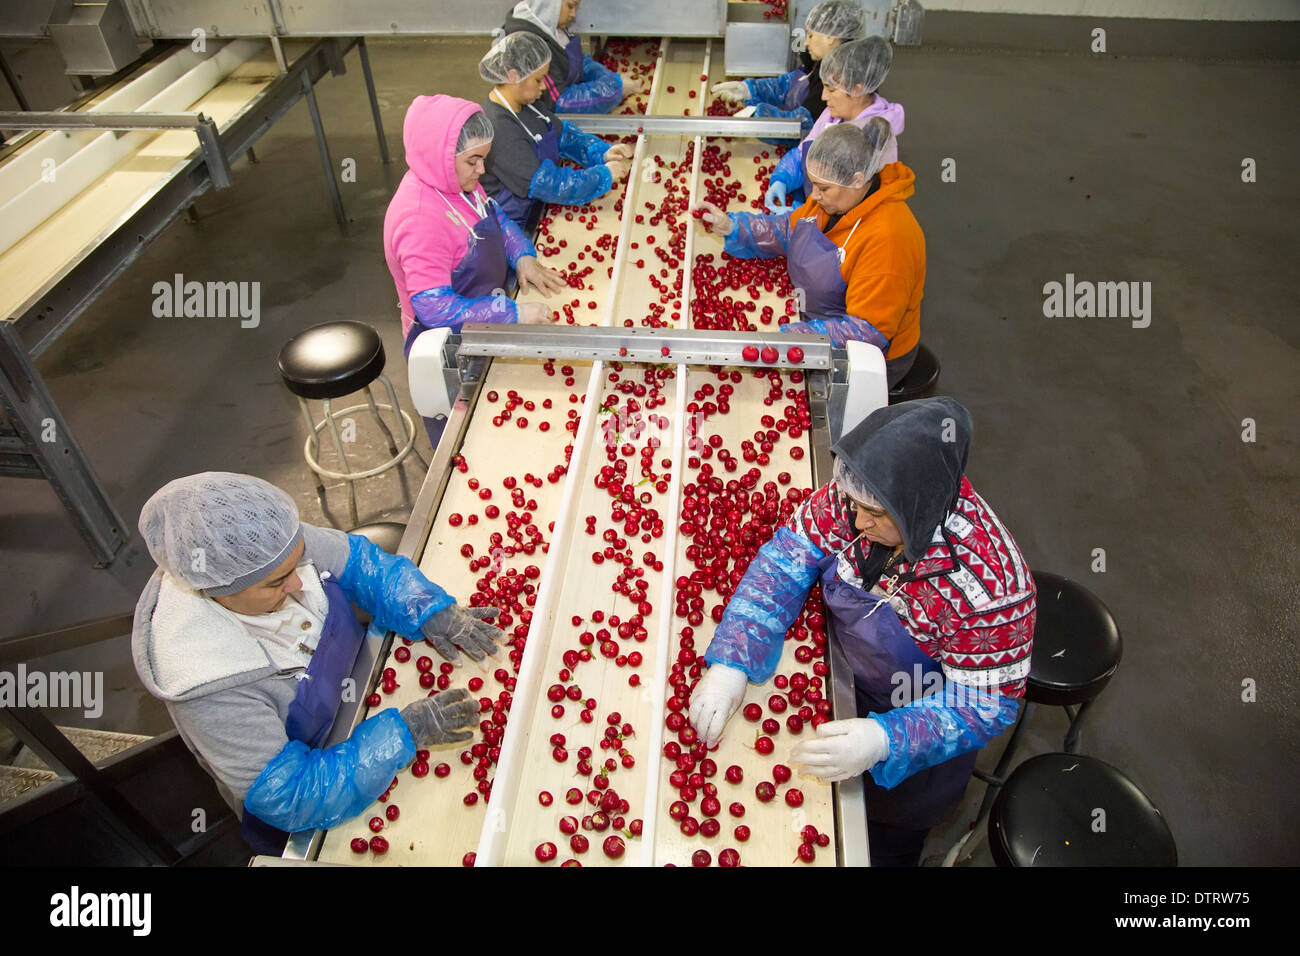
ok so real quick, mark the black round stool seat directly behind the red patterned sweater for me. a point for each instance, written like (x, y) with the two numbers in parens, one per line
(1077, 644)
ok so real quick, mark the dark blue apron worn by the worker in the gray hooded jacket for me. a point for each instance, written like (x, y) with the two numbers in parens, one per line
(311, 715)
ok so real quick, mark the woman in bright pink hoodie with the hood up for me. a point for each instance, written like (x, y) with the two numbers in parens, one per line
(450, 248)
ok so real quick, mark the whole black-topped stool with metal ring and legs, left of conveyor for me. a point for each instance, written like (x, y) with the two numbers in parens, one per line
(332, 361)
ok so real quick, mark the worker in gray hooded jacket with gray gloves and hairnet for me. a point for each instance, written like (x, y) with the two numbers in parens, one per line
(248, 633)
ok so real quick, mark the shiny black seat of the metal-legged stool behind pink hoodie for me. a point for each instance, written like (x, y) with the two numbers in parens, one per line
(332, 361)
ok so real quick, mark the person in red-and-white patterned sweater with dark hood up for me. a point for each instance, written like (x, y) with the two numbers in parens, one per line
(931, 602)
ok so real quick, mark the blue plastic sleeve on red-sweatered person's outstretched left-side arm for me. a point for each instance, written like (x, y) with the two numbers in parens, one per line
(765, 605)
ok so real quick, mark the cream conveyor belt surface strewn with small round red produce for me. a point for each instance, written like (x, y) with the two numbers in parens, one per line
(557, 594)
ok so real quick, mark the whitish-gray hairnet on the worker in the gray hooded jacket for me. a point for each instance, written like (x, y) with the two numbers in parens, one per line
(220, 533)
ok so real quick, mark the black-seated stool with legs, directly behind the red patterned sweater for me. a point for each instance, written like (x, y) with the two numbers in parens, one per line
(1077, 650)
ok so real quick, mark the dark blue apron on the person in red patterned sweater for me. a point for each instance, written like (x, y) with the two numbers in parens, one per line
(879, 648)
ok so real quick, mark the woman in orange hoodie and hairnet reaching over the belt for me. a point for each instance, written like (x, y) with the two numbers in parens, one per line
(853, 248)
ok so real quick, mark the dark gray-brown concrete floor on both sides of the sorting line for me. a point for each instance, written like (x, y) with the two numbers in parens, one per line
(1090, 434)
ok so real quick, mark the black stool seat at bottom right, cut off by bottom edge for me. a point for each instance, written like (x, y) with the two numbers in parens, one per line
(1046, 815)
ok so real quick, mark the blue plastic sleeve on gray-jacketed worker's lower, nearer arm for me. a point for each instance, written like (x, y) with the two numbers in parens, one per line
(315, 790)
